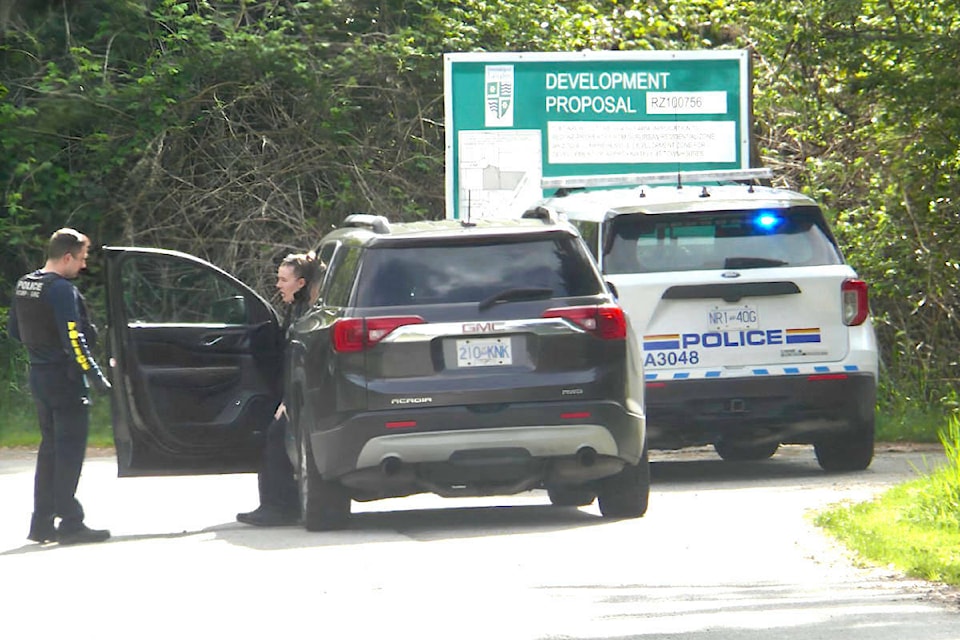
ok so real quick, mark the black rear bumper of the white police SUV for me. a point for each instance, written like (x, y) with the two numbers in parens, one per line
(796, 409)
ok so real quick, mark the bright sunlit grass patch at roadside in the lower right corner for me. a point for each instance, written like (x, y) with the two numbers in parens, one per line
(915, 526)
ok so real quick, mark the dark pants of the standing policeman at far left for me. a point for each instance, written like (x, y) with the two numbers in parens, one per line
(63, 408)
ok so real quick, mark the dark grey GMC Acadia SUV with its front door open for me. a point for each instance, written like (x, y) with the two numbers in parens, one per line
(441, 357)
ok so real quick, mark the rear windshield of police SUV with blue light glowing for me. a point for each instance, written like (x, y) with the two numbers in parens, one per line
(749, 239)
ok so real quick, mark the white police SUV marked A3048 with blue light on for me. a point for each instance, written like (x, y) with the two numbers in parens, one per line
(754, 331)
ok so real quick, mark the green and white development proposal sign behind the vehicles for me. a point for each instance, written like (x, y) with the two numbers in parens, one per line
(516, 122)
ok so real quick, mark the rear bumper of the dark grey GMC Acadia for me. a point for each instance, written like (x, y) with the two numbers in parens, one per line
(477, 450)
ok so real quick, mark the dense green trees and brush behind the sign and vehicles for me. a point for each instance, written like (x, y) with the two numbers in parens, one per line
(239, 129)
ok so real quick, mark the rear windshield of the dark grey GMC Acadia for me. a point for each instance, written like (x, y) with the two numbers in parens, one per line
(444, 273)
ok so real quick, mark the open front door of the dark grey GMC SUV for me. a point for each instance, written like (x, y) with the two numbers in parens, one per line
(195, 362)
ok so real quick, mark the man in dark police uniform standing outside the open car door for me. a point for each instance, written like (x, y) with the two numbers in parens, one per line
(48, 315)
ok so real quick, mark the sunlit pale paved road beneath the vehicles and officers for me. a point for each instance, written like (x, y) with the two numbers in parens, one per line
(726, 552)
